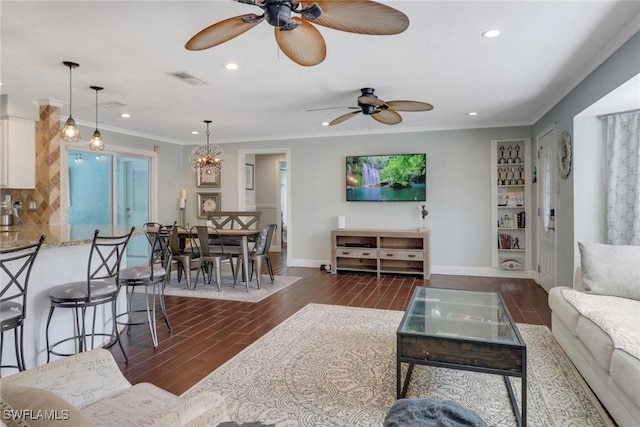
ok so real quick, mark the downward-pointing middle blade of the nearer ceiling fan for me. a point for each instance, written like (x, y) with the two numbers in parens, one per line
(304, 45)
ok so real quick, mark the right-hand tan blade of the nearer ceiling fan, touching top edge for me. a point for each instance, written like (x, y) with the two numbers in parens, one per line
(360, 16)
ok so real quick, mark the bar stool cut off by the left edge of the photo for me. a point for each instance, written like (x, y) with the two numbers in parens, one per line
(15, 267)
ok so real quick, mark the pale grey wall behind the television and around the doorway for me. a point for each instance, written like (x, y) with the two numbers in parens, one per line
(458, 193)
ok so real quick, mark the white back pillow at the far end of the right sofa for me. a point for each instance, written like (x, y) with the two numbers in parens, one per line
(611, 269)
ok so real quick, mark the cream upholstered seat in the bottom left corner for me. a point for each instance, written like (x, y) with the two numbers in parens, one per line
(88, 389)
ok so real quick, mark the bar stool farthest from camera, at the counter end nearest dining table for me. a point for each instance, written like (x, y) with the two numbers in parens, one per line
(153, 278)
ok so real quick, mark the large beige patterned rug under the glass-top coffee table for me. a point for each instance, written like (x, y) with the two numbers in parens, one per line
(336, 366)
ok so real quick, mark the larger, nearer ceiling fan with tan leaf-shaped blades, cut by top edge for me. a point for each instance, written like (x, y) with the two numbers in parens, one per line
(296, 36)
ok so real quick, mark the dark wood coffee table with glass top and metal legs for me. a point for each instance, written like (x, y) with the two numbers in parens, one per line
(459, 329)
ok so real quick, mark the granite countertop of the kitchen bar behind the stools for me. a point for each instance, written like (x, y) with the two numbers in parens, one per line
(14, 236)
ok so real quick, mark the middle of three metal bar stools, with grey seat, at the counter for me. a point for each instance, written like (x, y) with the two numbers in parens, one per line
(100, 288)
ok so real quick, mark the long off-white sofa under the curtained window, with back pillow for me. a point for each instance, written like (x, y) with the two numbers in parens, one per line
(597, 323)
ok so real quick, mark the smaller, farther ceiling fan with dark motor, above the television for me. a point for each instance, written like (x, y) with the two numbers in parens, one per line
(379, 110)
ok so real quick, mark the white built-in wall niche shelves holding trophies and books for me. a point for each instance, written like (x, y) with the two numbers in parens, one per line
(511, 180)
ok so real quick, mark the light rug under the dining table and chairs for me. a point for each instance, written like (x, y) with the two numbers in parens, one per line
(227, 290)
